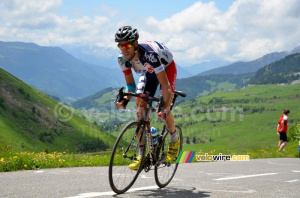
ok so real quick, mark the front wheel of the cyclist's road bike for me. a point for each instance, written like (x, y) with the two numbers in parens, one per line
(125, 151)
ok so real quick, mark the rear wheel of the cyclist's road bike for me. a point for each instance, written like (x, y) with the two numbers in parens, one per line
(163, 171)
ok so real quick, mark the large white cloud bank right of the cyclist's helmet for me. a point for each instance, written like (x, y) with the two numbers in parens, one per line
(247, 30)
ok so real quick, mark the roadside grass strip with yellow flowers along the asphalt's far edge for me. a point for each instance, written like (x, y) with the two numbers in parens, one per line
(33, 161)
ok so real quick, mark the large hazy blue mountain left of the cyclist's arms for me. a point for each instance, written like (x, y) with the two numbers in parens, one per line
(56, 72)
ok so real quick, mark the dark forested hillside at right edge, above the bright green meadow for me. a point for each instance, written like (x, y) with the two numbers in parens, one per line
(285, 70)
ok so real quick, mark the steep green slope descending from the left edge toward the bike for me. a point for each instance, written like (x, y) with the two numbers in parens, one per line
(32, 121)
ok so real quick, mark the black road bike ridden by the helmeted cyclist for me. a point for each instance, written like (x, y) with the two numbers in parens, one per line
(137, 134)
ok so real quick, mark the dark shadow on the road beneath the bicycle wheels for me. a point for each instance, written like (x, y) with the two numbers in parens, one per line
(168, 192)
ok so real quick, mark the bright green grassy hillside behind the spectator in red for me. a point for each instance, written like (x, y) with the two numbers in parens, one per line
(242, 120)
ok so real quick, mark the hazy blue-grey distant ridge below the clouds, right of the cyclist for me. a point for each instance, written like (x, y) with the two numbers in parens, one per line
(247, 67)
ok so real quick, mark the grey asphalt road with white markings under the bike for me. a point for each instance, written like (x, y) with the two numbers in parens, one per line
(254, 178)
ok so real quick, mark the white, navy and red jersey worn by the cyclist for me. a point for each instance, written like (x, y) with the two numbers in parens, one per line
(153, 57)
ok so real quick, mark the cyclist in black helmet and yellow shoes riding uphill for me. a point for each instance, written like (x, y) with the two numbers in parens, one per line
(155, 63)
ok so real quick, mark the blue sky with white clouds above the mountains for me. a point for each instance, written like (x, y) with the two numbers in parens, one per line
(194, 31)
